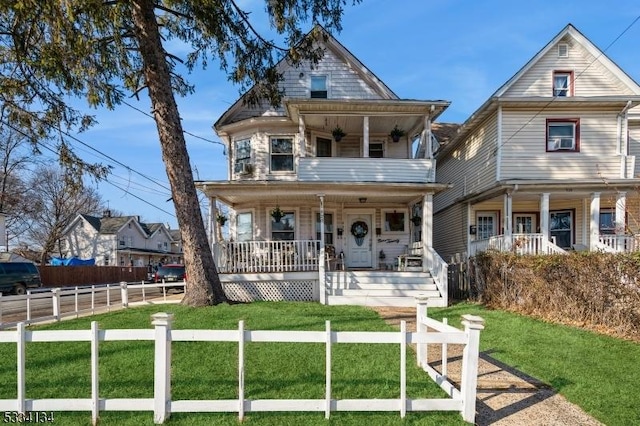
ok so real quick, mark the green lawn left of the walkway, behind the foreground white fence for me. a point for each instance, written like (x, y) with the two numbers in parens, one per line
(208, 370)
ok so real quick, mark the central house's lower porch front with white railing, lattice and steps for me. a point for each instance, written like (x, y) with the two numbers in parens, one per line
(303, 270)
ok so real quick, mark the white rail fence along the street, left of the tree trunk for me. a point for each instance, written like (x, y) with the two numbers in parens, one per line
(58, 303)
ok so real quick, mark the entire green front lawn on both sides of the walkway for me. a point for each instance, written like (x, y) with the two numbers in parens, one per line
(598, 373)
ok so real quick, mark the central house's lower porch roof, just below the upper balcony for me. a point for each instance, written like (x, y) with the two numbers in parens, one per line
(236, 192)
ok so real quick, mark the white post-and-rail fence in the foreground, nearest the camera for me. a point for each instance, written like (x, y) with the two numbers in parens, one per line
(162, 405)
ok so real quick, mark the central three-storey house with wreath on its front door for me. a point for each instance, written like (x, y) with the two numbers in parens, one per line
(323, 177)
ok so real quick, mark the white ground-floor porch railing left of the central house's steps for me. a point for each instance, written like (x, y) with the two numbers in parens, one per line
(267, 256)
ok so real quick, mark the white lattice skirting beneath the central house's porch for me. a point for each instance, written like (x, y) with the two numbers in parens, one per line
(291, 290)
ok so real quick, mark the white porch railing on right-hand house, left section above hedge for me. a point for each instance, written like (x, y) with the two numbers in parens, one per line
(532, 244)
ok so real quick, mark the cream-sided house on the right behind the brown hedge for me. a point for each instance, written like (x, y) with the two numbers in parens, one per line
(548, 162)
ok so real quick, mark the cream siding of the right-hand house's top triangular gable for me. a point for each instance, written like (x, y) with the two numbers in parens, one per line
(591, 77)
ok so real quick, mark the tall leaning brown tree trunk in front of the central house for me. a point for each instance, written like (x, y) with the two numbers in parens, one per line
(203, 284)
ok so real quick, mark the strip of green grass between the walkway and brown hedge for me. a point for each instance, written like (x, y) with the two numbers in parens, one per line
(601, 374)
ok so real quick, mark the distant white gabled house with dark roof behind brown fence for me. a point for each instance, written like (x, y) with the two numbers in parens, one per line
(120, 241)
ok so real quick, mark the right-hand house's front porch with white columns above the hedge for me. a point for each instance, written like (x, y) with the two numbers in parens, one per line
(553, 222)
